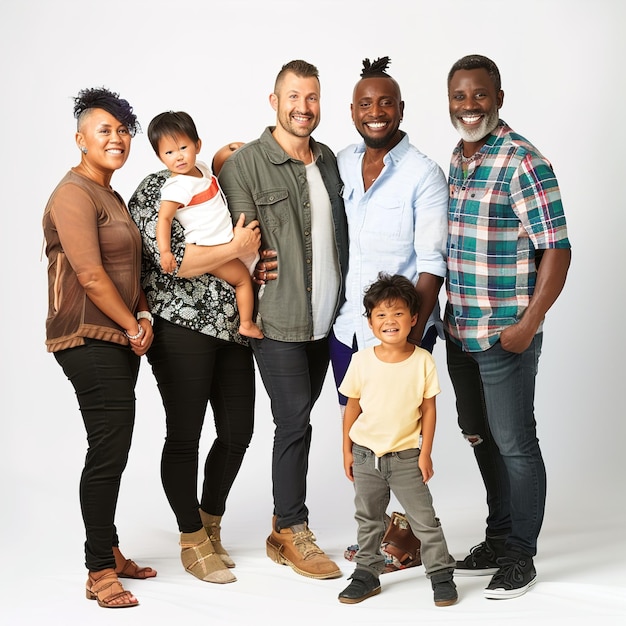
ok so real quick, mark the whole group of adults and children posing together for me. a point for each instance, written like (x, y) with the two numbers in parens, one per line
(353, 251)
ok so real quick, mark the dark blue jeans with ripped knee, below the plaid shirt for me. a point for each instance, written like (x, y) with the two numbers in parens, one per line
(495, 392)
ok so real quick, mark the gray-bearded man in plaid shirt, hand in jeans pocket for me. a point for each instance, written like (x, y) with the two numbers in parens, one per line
(508, 256)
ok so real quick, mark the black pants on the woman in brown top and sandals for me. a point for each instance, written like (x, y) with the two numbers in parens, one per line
(103, 375)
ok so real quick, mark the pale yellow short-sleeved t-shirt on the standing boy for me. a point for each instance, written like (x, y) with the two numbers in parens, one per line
(390, 395)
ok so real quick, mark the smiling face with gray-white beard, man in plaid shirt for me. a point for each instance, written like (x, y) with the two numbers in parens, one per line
(474, 104)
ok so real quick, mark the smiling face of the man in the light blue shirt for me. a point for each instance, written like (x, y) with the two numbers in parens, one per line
(377, 111)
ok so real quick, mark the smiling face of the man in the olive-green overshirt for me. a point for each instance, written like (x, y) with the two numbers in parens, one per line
(297, 104)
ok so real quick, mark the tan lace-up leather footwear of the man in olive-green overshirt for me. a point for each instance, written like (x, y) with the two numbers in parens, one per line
(296, 547)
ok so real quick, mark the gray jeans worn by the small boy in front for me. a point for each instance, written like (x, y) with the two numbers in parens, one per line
(374, 480)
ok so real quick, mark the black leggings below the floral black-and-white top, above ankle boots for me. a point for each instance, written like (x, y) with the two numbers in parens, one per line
(192, 369)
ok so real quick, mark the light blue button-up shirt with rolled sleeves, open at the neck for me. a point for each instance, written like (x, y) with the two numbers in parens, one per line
(399, 226)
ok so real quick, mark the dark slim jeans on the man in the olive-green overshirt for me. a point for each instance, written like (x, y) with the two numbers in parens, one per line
(293, 374)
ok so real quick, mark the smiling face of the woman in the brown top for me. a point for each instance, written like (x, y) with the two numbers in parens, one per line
(105, 139)
